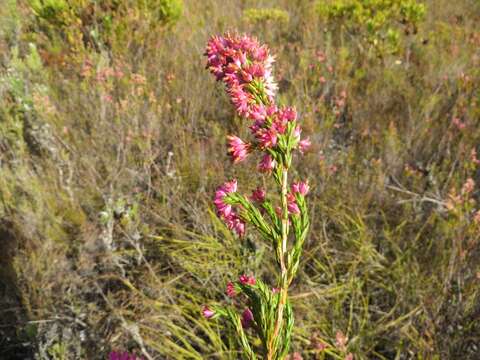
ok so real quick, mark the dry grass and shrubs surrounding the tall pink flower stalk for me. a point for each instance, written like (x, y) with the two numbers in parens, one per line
(112, 141)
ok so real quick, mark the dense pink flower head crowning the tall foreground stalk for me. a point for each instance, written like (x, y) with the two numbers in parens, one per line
(245, 67)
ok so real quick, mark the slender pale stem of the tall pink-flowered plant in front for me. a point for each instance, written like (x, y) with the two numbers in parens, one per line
(271, 351)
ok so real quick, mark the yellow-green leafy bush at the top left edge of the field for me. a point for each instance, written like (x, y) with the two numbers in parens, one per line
(75, 25)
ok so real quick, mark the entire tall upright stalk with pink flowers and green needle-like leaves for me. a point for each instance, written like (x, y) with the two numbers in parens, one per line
(281, 218)
